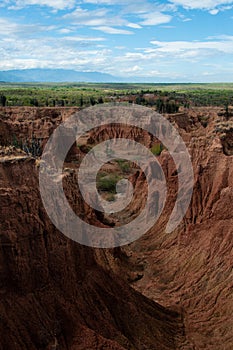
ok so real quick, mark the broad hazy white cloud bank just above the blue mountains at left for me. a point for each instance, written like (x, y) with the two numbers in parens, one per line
(62, 53)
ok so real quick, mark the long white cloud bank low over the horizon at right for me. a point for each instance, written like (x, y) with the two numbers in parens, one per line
(179, 58)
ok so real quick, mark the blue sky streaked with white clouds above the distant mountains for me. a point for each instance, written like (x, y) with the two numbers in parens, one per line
(176, 40)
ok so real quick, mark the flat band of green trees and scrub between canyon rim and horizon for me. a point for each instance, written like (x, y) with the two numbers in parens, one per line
(165, 98)
